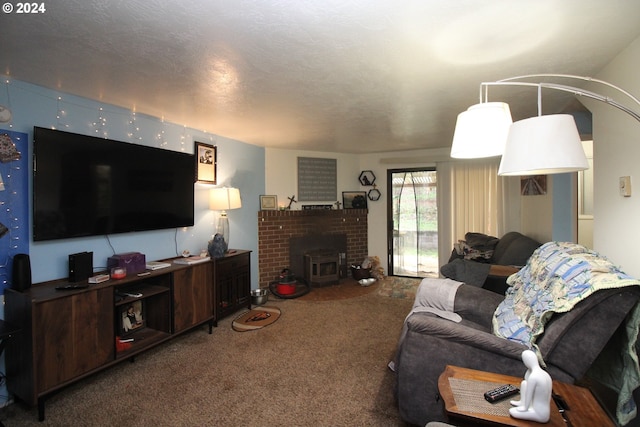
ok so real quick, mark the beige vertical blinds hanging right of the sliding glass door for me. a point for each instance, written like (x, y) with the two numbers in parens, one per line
(471, 197)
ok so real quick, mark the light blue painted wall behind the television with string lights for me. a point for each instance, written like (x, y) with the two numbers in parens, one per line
(240, 165)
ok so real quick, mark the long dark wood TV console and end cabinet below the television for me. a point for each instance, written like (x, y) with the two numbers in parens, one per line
(67, 335)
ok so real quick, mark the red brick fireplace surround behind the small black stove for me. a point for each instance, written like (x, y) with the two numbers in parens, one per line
(277, 228)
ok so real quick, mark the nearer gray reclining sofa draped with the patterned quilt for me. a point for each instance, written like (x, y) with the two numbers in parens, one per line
(570, 343)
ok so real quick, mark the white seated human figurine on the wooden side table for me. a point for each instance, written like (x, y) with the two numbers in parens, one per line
(535, 392)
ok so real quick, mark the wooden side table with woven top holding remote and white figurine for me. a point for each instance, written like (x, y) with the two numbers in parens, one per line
(462, 391)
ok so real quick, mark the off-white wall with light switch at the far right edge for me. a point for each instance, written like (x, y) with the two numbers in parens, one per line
(616, 145)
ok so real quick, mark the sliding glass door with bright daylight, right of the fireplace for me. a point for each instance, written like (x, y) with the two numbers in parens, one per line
(413, 222)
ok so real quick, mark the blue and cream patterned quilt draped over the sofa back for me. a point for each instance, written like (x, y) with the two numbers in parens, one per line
(558, 276)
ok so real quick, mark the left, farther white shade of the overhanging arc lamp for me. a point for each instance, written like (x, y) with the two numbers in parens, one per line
(481, 131)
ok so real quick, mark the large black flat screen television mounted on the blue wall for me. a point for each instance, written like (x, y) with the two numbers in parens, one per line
(89, 186)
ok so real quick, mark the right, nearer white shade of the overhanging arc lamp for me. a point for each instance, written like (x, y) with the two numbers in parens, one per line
(543, 145)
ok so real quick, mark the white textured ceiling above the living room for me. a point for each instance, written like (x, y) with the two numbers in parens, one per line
(331, 75)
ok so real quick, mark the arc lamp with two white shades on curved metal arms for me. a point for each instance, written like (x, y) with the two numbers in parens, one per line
(545, 144)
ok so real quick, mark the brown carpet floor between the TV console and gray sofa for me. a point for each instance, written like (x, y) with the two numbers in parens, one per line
(323, 363)
